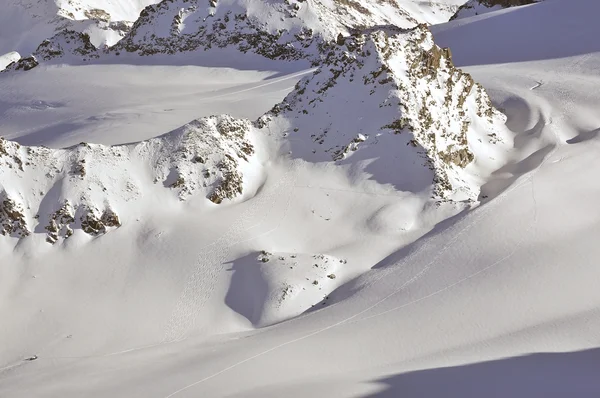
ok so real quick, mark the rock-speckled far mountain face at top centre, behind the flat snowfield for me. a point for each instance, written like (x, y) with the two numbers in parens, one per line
(276, 29)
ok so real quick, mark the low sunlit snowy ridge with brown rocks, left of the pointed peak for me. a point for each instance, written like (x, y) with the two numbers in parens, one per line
(90, 187)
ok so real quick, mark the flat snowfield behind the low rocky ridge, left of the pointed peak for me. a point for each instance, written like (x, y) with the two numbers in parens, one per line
(127, 102)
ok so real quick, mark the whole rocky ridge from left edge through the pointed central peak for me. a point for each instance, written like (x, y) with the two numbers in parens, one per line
(385, 98)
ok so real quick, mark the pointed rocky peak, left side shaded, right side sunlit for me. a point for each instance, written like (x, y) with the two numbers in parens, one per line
(393, 97)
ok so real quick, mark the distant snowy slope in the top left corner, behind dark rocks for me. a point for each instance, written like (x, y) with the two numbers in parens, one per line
(24, 24)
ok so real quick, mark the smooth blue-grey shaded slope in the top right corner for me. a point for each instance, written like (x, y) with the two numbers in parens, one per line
(485, 39)
